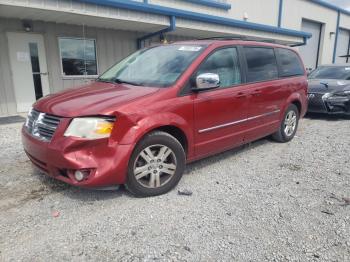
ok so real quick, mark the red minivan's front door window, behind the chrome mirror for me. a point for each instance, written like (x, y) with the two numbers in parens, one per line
(225, 63)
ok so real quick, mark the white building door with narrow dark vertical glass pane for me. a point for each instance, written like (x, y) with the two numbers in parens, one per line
(28, 68)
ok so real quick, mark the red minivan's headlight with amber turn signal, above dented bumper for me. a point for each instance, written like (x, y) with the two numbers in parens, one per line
(90, 127)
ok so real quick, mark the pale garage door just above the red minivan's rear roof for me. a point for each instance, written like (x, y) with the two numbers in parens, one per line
(310, 52)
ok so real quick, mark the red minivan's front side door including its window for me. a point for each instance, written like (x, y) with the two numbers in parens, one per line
(220, 114)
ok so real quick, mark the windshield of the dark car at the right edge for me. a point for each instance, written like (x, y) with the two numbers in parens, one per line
(331, 72)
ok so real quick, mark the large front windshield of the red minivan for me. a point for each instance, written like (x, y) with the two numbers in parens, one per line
(158, 66)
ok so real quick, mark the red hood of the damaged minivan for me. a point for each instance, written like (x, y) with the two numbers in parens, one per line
(97, 98)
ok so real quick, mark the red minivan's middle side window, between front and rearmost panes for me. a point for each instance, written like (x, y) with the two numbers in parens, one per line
(262, 64)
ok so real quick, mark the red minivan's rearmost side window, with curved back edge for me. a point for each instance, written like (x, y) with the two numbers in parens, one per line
(290, 64)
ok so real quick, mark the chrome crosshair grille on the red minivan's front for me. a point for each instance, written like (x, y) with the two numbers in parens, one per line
(41, 125)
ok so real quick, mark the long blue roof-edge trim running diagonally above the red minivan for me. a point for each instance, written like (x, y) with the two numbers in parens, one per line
(194, 16)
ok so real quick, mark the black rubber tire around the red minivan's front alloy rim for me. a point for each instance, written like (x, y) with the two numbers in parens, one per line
(156, 138)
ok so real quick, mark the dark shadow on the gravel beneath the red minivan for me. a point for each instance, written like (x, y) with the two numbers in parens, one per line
(89, 196)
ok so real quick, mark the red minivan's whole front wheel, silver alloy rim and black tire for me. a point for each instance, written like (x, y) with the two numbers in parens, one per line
(156, 165)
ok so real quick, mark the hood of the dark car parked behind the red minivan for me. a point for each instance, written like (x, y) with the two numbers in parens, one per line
(334, 85)
